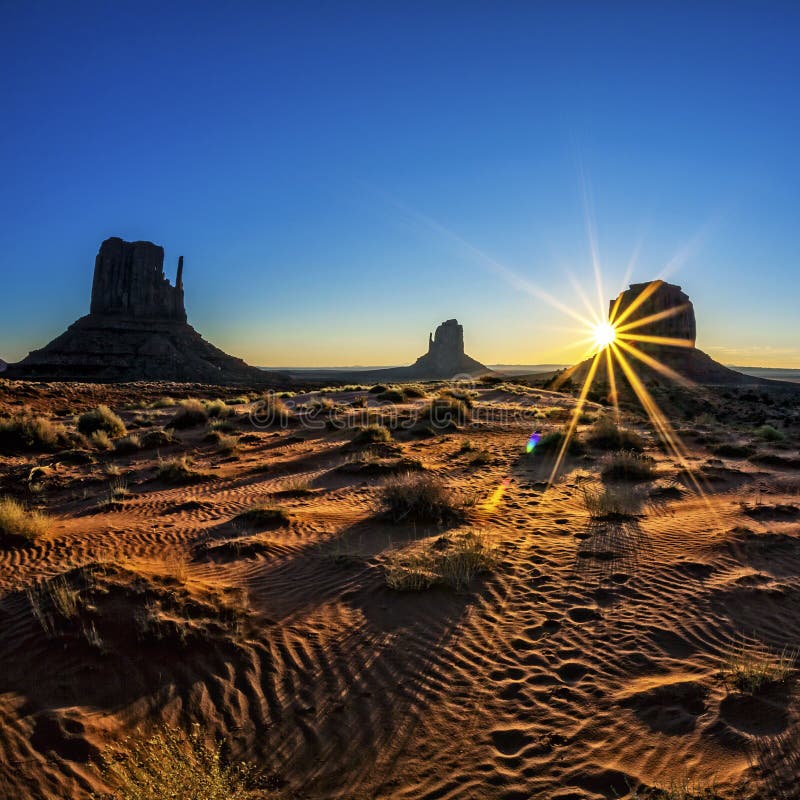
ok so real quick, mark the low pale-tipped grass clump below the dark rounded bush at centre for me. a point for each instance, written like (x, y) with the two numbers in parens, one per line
(449, 561)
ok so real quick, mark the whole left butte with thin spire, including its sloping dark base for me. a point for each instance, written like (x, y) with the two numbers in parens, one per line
(136, 329)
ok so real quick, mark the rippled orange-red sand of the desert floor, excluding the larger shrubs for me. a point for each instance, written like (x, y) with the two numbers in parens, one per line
(588, 662)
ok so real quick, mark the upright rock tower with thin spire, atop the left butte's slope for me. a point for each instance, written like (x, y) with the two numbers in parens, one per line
(129, 281)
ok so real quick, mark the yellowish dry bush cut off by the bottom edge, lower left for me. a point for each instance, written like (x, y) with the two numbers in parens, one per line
(171, 764)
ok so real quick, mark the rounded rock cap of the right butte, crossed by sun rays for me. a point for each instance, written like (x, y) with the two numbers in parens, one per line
(667, 299)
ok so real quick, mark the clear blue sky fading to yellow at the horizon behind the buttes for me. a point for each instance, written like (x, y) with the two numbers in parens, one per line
(342, 177)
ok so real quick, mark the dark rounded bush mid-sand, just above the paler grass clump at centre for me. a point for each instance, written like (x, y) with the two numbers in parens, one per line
(423, 498)
